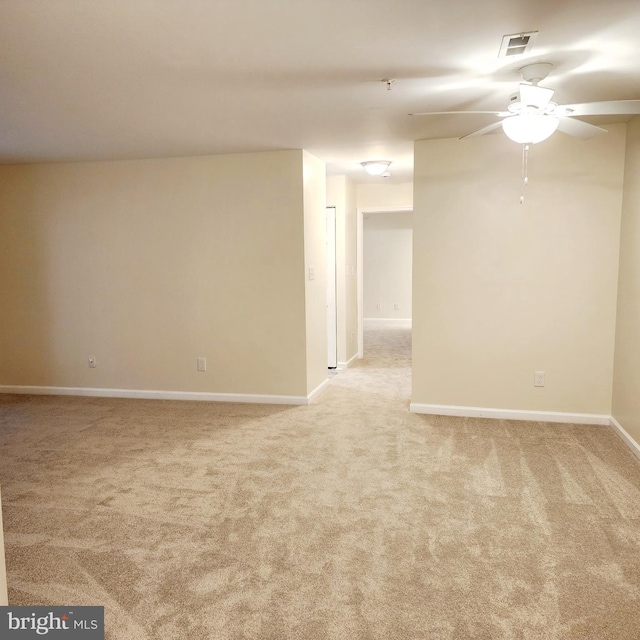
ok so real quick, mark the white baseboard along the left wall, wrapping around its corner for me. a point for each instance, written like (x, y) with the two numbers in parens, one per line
(160, 395)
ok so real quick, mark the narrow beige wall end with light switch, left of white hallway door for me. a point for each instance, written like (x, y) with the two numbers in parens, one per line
(315, 256)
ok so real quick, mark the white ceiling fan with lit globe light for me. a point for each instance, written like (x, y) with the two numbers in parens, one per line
(532, 117)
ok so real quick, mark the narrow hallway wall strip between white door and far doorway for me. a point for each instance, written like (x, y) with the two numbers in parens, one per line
(341, 194)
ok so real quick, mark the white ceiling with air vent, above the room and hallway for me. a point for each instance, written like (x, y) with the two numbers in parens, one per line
(110, 79)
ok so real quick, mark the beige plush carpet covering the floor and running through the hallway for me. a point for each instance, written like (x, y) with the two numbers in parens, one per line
(347, 519)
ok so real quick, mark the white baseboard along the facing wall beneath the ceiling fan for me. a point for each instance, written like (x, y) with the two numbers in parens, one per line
(509, 414)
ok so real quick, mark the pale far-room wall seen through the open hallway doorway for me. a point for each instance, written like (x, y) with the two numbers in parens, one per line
(388, 239)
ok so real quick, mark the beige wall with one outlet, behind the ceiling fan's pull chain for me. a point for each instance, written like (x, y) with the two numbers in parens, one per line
(503, 289)
